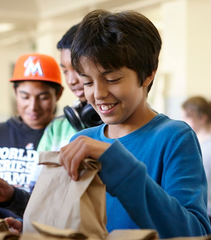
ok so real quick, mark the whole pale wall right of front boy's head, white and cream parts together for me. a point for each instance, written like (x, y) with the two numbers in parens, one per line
(186, 53)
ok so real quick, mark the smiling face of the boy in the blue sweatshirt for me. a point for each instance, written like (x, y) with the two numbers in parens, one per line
(114, 93)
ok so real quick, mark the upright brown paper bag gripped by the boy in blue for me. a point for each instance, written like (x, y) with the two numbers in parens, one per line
(63, 203)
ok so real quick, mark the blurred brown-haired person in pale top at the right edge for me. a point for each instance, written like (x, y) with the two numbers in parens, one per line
(197, 113)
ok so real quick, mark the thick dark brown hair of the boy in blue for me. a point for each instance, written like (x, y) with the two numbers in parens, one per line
(115, 40)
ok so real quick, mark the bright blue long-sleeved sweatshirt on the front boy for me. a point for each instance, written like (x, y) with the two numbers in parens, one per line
(155, 179)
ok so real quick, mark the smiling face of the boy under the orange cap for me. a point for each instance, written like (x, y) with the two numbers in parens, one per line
(36, 102)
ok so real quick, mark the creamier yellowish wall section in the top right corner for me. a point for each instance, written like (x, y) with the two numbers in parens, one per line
(199, 48)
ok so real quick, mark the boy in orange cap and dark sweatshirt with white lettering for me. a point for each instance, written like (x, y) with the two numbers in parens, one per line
(38, 86)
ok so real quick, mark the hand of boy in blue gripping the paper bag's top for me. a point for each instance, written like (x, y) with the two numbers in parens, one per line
(82, 147)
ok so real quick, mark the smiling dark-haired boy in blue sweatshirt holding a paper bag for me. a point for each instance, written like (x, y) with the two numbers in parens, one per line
(151, 164)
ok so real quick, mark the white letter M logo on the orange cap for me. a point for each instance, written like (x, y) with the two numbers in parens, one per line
(32, 67)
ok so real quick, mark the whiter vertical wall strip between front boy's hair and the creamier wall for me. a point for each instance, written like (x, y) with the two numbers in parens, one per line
(174, 58)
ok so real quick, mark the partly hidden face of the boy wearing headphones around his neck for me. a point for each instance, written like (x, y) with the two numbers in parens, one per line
(73, 80)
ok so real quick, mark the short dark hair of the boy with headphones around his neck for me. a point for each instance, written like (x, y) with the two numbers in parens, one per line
(68, 37)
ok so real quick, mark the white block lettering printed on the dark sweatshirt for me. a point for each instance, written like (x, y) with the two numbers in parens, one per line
(16, 165)
